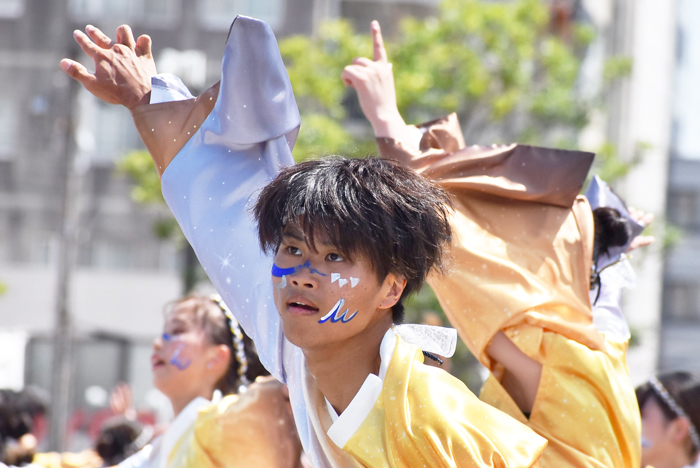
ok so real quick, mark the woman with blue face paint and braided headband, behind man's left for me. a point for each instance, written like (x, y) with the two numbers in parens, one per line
(207, 367)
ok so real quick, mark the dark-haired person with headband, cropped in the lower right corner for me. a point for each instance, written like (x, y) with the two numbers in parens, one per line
(670, 406)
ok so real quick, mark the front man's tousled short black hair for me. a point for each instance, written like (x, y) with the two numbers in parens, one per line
(393, 217)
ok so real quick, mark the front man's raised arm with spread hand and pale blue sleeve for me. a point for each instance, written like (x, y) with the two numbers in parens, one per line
(214, 152)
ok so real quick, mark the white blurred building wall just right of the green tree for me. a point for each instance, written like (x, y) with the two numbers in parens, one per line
(636, 118)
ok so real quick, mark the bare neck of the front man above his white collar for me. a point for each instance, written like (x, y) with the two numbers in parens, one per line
(340, 369)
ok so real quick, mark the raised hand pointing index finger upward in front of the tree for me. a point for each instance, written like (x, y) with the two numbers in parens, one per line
(374, 82)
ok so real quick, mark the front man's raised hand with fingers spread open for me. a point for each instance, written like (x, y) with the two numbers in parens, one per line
(123, 69)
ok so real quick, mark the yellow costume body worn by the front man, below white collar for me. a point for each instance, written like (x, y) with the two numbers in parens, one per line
(423, 416)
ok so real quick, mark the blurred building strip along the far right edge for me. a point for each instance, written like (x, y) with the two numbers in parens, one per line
(681, 318)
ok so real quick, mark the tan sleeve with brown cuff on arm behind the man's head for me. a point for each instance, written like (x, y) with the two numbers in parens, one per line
(522, 237)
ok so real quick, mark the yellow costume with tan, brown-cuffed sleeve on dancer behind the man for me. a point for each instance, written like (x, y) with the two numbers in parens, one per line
(521, 254)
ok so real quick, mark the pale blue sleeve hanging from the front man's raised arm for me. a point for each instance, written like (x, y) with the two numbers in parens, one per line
(244, 138)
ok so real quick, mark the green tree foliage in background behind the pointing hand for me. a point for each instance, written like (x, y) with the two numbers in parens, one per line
(497, 65)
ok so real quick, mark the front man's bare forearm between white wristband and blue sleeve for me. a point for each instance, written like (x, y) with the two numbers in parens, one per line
(166, 127)
